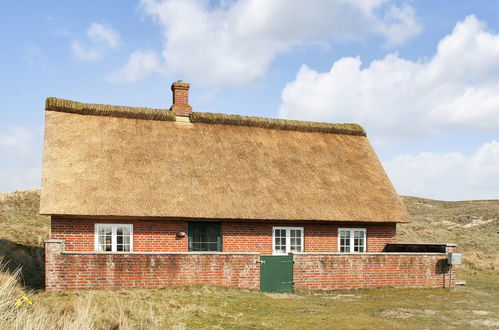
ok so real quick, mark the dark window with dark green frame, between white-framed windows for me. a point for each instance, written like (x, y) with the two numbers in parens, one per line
(205, 236)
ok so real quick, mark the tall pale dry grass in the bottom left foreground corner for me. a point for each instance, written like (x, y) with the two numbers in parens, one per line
(80, 310)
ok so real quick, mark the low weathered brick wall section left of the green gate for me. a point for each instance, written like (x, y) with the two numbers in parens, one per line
(81, 270)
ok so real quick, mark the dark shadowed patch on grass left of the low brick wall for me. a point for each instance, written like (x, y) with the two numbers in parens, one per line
(29, 258)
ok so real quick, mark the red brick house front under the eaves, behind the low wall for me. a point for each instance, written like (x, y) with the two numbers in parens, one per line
(160, 235)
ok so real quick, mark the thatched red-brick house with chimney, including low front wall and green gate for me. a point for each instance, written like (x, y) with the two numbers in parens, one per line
(144, 197)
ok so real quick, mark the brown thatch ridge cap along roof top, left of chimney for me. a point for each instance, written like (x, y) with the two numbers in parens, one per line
(55, 104)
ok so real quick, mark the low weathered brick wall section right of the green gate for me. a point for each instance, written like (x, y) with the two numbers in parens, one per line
(334, 271)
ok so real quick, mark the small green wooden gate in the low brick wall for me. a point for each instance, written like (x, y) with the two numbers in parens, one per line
(276, 273)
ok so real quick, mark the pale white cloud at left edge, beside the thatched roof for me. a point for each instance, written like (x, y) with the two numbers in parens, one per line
(20, 152)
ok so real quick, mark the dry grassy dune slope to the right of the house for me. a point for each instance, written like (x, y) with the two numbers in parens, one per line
(472, 225)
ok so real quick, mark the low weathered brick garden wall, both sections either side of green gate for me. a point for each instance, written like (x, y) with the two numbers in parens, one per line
(315, 271)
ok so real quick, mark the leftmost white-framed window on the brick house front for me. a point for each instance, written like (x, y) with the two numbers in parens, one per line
(113, 238)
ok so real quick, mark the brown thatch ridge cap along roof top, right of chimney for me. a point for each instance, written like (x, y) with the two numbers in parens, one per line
(284, 124)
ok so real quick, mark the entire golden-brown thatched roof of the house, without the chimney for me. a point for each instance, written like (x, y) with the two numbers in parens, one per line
(219, 167)
